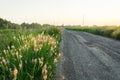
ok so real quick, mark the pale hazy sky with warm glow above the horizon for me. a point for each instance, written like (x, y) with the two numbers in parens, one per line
(58, 12)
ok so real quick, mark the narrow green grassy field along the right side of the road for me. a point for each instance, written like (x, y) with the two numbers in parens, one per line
(107, 31)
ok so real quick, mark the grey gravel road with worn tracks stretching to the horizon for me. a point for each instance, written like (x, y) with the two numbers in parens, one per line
(88, 57)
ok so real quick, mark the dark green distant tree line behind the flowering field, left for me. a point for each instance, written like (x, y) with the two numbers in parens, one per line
(4, 24)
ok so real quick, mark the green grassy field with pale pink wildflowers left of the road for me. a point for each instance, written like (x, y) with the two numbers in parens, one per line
(29, 54)
